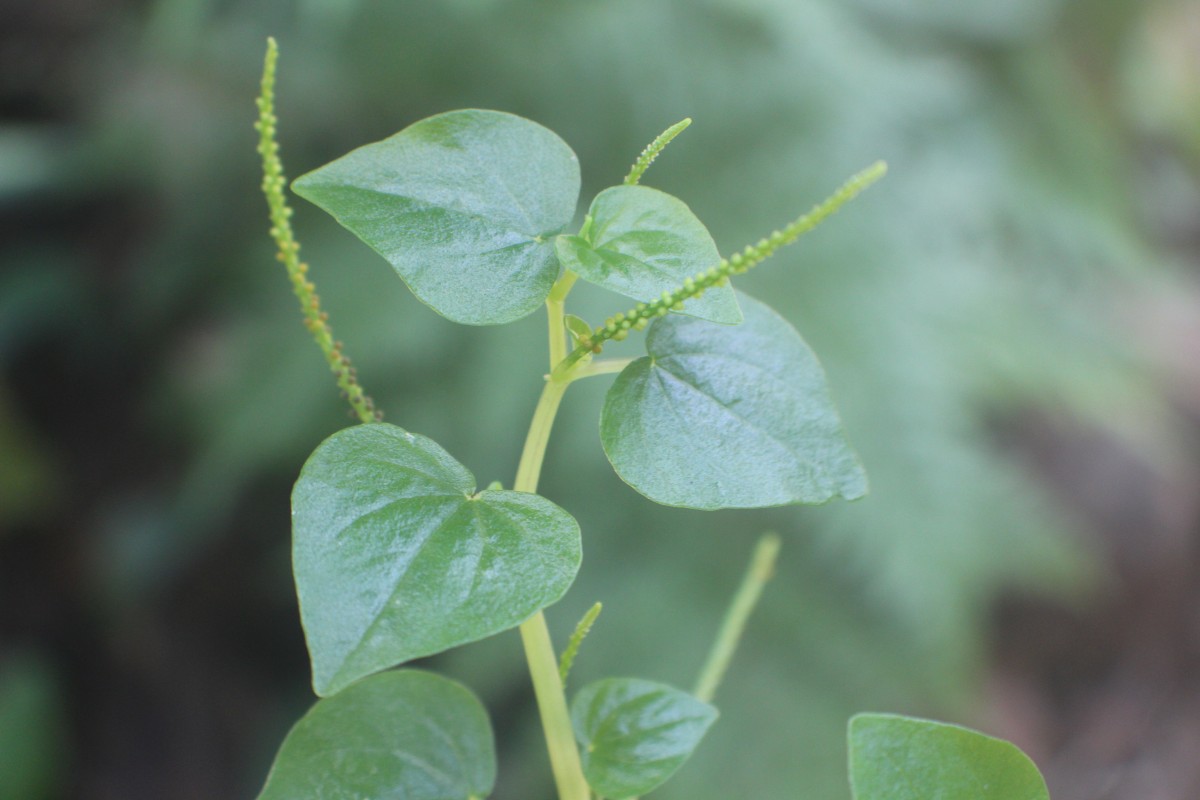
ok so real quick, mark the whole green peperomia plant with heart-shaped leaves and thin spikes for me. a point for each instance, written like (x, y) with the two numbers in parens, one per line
(398, 554)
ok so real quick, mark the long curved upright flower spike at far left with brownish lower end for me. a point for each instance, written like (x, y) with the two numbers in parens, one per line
(274, 184)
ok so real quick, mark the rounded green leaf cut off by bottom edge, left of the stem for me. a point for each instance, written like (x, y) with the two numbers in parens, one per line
(400, 736)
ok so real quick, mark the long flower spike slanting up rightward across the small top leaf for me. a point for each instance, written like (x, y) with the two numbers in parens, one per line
(619, 327)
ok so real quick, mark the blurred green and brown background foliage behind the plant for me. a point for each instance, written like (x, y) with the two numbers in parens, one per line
(1010, 322)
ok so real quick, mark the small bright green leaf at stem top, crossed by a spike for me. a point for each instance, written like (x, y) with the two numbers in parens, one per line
(644, 243)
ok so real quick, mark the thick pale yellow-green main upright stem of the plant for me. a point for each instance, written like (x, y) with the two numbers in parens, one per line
(548, 687)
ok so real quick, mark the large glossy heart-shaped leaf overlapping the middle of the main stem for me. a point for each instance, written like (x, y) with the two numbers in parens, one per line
(397, 558)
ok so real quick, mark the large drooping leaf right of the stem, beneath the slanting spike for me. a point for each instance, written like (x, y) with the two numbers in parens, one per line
(729, 418)
